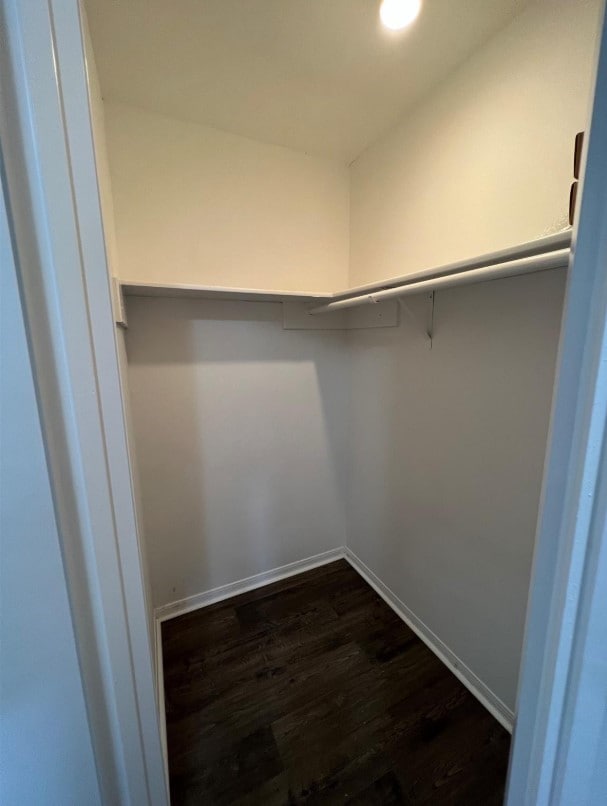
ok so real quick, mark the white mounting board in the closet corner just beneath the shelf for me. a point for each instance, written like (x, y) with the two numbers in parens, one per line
(297, 316)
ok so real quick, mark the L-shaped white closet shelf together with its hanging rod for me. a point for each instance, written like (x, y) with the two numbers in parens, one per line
(525, 258)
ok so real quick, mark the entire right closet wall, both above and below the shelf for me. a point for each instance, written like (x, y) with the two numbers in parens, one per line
(448, 445)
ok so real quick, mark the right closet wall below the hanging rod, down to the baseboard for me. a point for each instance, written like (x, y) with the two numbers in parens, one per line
(445, 470)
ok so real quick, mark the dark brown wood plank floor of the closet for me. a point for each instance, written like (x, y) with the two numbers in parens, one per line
(312, 690)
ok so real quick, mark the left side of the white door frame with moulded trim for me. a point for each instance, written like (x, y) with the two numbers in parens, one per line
(52, 199)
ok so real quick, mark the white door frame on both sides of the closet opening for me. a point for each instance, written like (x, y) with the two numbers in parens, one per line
(54, 208)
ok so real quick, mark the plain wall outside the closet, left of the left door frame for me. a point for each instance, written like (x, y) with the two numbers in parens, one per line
(46, 755)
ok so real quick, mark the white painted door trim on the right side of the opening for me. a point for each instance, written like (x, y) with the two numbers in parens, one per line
(558, 753)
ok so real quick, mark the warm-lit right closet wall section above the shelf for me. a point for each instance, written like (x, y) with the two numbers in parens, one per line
(486, 160)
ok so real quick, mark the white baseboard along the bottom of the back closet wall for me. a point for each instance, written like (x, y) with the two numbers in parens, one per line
(182, 606)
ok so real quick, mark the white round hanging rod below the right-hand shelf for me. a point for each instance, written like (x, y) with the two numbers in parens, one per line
(510, 268)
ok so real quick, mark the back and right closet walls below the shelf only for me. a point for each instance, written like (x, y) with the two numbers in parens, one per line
(246, 435)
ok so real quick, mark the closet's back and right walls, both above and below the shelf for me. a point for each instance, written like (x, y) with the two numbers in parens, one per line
(241, 428)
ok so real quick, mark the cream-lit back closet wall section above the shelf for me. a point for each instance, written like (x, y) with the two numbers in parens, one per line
(197, 205)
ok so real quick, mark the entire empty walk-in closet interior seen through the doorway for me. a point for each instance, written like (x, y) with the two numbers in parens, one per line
(338, 243)
